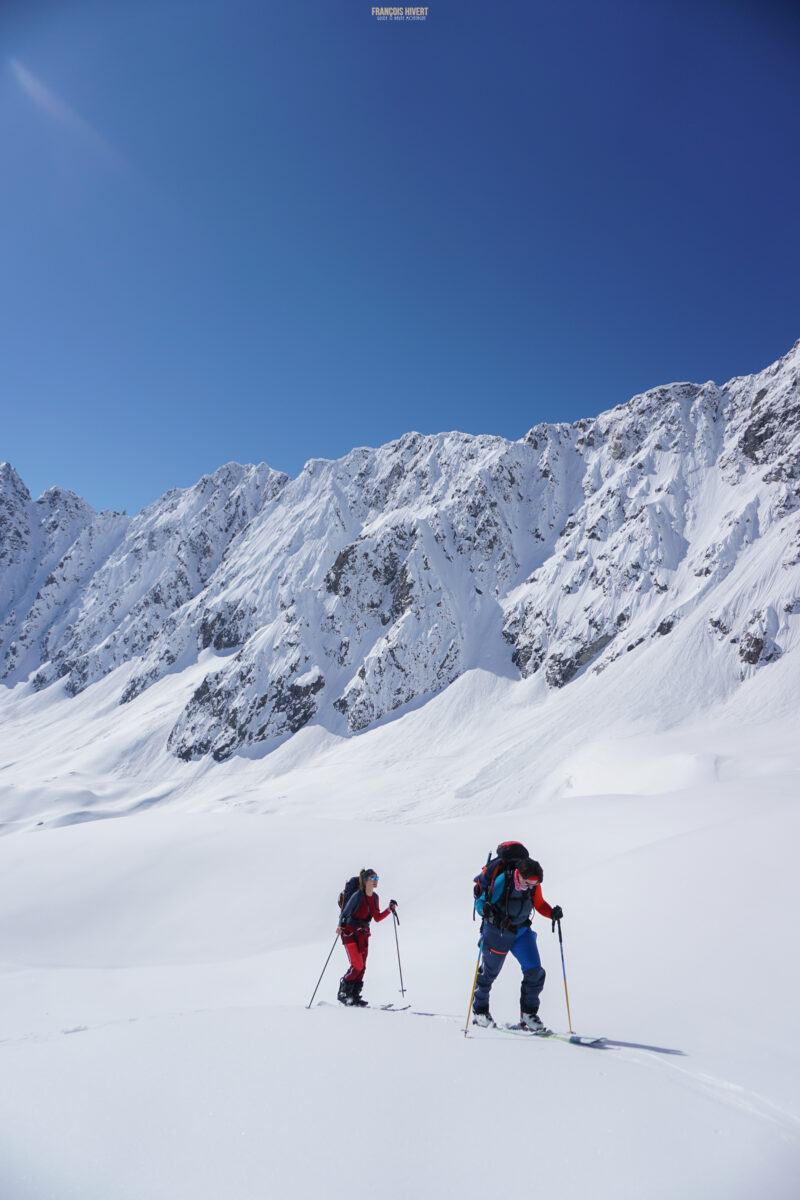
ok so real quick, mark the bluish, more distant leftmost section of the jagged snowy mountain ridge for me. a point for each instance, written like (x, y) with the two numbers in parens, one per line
(112, 583)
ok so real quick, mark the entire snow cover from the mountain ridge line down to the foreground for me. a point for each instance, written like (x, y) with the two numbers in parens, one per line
(164, 920)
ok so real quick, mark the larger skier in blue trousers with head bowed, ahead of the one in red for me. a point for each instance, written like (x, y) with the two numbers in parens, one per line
(508, 914)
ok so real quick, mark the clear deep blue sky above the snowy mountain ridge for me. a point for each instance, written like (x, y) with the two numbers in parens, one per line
(275, 231)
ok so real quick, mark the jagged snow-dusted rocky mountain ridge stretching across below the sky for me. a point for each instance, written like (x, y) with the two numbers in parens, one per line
(375, 581)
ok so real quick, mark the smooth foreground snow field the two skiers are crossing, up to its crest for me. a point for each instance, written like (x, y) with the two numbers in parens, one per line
(155, 1041)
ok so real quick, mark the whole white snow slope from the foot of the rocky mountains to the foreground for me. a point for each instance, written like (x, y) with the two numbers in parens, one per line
(155, 969)
